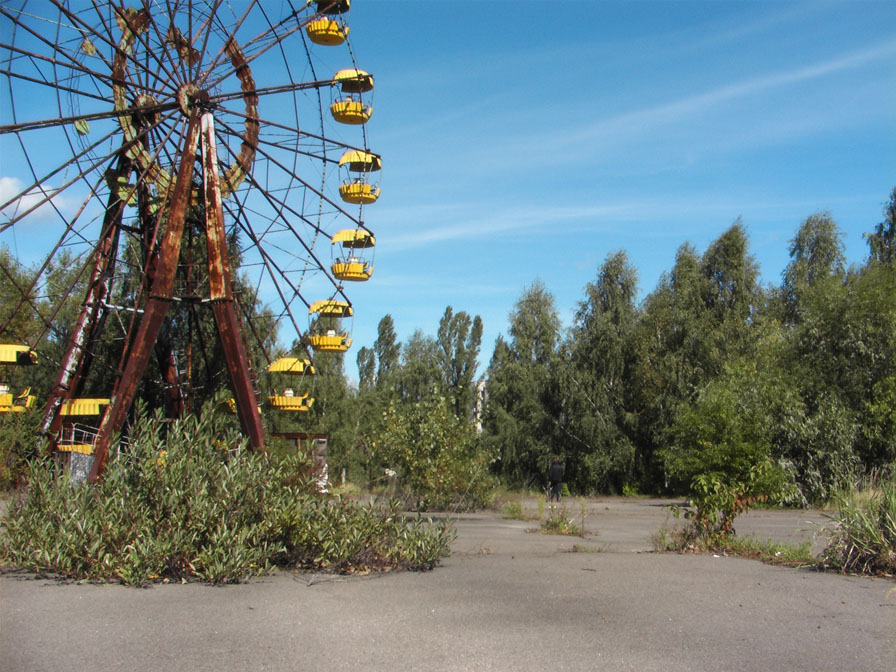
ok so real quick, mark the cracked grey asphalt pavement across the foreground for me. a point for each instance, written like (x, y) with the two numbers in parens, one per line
(507, 599)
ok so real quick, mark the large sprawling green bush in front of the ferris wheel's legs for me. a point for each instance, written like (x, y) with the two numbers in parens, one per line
(184, 502)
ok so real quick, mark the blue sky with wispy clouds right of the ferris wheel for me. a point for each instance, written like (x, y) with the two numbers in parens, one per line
(528, 140)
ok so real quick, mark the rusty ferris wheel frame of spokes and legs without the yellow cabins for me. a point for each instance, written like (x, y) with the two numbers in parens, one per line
(161, 114)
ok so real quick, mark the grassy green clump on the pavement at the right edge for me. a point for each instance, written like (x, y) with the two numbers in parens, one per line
(864, 539)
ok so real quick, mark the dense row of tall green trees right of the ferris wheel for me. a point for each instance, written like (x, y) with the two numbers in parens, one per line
(712, 373)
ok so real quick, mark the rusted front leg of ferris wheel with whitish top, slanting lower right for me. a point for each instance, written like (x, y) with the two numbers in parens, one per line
(221, 293)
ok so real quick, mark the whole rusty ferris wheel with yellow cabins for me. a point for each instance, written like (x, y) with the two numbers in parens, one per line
(168, 157)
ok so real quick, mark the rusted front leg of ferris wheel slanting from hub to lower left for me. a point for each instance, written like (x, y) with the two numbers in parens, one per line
(156, 305)
